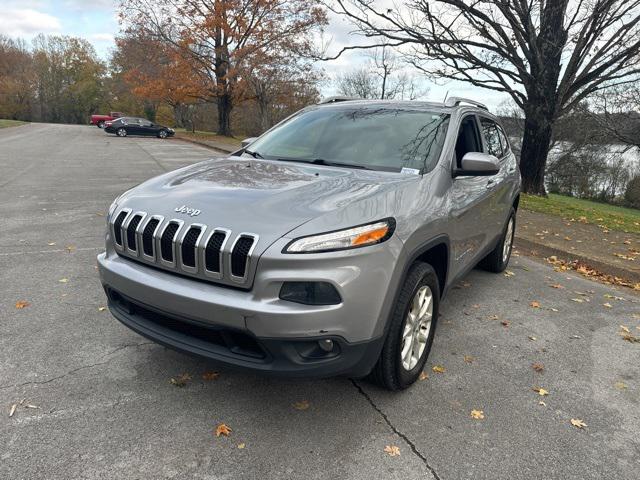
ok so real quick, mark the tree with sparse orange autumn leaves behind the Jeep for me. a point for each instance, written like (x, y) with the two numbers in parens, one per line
(225, 39)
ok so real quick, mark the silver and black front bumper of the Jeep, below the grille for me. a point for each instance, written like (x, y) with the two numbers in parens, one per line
(255, 329)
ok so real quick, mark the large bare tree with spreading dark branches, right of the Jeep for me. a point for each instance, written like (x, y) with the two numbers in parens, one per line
(547, 55)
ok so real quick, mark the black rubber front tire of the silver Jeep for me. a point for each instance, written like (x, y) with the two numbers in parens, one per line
(394, 371)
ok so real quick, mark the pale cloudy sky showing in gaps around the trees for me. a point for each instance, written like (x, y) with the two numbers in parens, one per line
(96, 21)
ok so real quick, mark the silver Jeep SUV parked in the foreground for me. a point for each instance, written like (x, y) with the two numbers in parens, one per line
(323, 247)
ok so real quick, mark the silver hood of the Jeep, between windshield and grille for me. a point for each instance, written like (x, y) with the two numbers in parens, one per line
(268, 198)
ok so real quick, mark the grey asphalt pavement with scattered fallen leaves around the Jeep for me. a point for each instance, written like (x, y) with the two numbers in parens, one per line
(105, 406)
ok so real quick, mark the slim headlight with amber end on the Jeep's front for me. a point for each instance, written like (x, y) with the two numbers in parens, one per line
(355, 237)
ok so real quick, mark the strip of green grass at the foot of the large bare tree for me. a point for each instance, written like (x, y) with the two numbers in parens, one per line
(610, 216)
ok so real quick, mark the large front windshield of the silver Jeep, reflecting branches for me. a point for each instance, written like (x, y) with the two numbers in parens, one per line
(381, 138)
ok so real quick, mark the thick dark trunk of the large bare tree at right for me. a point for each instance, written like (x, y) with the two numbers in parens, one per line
(536, 143)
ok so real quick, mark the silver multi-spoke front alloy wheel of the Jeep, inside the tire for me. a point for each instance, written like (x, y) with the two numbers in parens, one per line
(417, 327)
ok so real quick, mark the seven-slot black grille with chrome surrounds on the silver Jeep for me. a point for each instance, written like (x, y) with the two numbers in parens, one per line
(215, 254)
